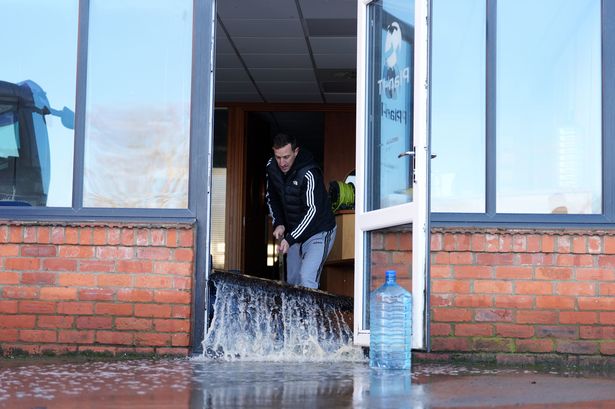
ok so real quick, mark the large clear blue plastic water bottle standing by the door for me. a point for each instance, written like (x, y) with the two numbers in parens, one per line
(390, 323)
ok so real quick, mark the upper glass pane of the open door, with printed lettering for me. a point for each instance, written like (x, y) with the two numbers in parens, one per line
(390, 73)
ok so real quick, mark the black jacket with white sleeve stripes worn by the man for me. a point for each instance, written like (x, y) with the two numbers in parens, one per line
(298, 199)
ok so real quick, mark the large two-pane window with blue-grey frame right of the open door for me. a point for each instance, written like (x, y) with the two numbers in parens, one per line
(517, 100)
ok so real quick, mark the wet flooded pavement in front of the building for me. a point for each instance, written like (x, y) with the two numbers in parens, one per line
(197, 383)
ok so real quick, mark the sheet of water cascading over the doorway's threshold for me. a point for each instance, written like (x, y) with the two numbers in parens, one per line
(262, 320)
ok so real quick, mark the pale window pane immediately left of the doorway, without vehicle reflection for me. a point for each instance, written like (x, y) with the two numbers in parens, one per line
(138, 101)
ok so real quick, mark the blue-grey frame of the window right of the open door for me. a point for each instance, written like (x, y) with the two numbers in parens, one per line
(490, 217)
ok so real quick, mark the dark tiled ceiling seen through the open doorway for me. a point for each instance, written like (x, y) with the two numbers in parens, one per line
(286, 51)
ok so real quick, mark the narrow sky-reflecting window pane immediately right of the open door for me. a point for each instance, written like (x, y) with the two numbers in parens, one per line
(458, 106)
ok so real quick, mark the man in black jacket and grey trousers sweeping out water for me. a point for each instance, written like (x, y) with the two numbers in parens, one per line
(299, 206)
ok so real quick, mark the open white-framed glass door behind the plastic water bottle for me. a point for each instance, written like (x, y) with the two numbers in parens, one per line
(391, 212)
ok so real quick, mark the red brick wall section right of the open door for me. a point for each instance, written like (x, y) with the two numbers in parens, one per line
(523, 291)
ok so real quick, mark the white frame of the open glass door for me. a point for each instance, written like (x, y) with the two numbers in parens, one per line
(415, 212)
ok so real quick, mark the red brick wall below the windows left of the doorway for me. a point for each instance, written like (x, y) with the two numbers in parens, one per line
(91, 287)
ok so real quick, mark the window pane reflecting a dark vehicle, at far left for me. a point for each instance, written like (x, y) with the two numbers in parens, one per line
(37, 102)
